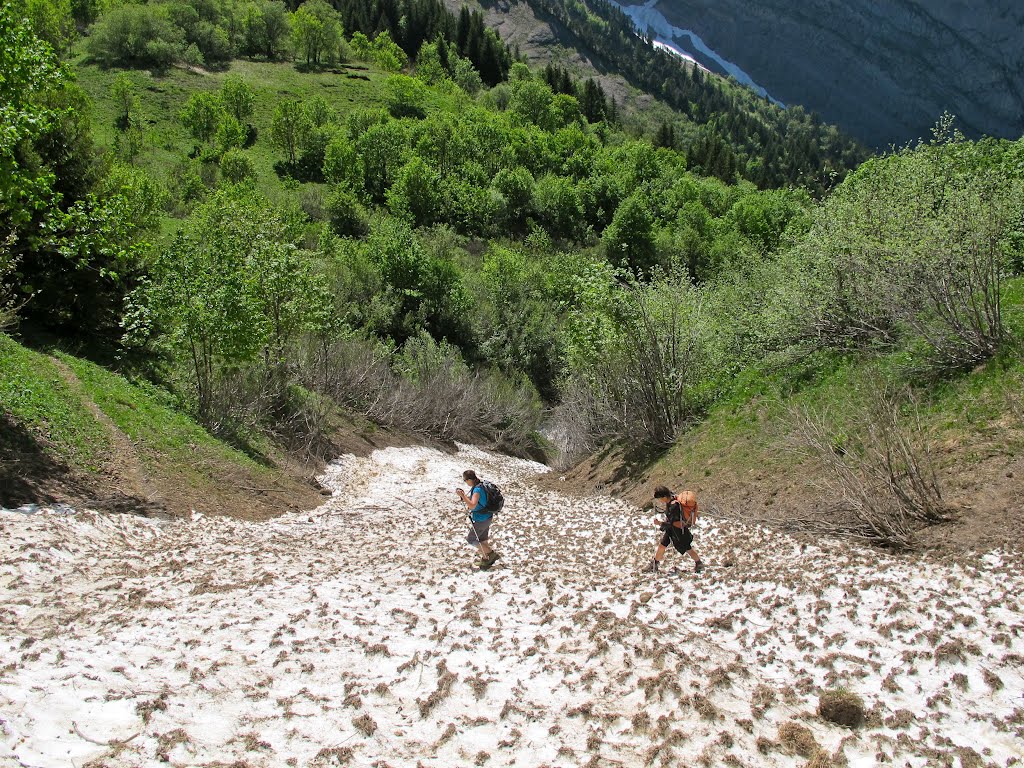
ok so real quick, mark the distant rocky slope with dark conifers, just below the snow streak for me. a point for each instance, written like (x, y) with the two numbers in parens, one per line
(727, 130)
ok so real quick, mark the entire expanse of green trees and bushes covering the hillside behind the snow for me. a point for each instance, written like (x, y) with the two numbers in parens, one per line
(273, 212)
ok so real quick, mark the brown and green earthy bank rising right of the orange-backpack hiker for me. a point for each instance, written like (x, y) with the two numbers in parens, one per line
(748, 459)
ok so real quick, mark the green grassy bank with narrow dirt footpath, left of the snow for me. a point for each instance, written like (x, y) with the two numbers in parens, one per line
(77, 433)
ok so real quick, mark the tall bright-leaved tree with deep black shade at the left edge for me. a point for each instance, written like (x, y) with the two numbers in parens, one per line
(76, 244)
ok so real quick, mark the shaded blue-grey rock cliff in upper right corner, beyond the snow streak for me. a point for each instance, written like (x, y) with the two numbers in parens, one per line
(883, 70)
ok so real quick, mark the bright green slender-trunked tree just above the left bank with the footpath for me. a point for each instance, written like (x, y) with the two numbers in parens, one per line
(232, 287)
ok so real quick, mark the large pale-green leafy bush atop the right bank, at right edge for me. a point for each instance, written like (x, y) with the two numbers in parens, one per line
(914, 248)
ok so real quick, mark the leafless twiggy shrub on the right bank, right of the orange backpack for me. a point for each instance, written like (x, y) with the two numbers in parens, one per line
(884, 472)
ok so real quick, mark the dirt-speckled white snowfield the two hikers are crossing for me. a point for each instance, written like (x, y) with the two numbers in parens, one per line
(358, 634)
